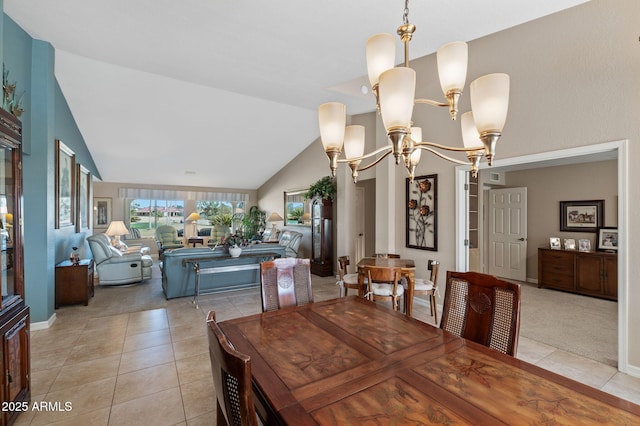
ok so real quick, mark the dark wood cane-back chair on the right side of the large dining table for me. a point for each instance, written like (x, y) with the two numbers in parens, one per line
(484, 309)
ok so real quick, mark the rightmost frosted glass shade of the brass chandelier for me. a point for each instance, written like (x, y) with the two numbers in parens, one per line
(490, 102)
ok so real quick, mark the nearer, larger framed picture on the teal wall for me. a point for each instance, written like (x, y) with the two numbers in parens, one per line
(65, 185)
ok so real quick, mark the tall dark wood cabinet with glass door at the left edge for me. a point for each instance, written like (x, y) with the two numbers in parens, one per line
(15, 388)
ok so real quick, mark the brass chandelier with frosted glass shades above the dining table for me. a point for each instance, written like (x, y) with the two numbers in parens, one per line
(394, 89)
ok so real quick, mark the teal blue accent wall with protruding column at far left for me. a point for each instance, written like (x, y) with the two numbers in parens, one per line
(47, 117)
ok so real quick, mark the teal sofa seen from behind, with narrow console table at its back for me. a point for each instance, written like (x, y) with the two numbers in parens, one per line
(225, 273)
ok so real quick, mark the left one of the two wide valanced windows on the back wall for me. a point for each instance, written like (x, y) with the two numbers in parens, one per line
(147, 215)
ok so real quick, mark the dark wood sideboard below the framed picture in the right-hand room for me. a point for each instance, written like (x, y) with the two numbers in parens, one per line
(588, 273)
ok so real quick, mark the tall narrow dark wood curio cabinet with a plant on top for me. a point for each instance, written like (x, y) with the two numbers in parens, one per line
(321, 241)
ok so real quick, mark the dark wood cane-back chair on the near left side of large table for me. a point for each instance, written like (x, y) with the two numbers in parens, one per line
(231, 379)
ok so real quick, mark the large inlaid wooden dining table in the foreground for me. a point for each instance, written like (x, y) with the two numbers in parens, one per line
(350, 361)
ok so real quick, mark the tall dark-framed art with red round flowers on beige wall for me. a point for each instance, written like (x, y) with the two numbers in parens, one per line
(422, 213)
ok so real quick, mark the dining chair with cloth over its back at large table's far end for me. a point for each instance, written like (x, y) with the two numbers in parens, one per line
(285, 282)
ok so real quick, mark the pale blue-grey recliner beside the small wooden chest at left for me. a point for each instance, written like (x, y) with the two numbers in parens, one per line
(115, 267)
